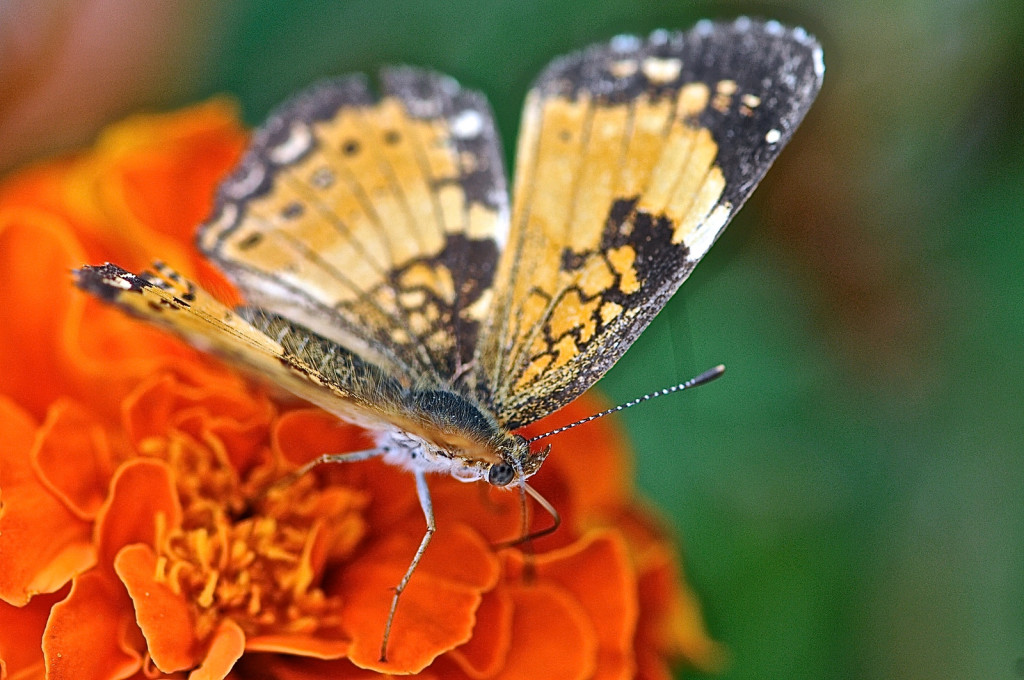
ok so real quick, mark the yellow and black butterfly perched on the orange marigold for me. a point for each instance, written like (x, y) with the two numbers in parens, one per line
(391, 279)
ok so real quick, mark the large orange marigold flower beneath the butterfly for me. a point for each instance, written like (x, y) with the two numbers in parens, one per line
(141, 528)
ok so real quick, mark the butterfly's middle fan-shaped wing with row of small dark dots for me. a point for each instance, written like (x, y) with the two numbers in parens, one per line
(376, 223)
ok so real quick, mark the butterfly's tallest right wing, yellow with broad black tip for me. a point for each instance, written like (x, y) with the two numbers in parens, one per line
(632, 158)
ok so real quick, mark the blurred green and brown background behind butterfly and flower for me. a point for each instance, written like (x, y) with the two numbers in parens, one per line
(850, 494)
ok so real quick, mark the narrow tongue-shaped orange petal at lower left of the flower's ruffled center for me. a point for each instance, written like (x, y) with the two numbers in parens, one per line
(164, 616)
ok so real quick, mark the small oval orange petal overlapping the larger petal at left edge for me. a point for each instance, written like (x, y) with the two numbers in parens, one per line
(74, 458)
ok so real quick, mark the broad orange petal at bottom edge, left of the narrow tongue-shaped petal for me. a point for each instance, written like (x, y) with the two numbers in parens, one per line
(86, 637)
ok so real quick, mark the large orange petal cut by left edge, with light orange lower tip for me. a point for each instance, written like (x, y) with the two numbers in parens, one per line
(42, 544)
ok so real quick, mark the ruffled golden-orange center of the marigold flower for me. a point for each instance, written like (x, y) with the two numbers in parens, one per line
(254, 552)
